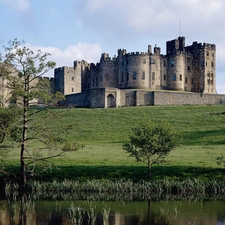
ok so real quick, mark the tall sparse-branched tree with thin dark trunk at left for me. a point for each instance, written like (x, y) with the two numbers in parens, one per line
(22, 85)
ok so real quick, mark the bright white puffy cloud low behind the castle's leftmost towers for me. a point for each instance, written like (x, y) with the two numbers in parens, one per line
(81, 51)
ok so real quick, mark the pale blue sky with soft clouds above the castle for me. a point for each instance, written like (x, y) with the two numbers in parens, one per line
(84, 29)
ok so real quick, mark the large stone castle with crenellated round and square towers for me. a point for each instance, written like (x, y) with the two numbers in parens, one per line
(126, 78)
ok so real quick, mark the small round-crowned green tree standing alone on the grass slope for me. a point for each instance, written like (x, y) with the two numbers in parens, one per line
(151, 142)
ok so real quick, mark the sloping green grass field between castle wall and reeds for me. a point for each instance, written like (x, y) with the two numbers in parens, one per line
(103, 132)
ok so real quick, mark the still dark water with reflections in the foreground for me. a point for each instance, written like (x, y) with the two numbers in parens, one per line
(113, 213)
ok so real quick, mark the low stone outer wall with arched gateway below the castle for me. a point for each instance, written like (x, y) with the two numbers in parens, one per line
(113, 97)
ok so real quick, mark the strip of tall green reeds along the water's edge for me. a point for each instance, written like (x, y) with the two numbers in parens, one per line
(120, 190)
